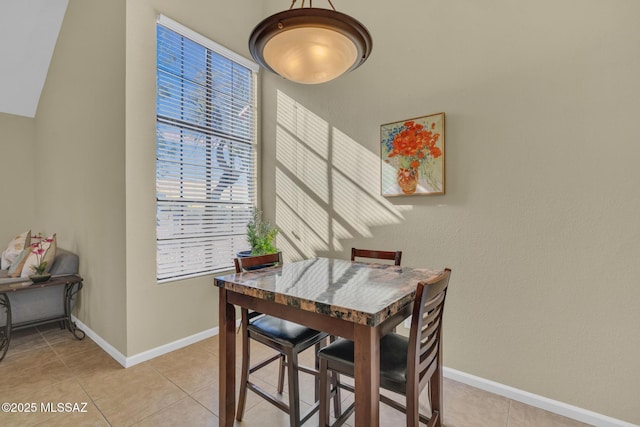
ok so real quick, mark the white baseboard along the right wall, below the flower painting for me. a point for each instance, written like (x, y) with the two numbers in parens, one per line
(535, 400)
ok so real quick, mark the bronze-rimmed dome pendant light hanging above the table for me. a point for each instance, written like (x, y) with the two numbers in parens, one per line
(310, 45)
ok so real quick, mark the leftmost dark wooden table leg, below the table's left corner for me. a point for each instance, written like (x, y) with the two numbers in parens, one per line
(227, 345)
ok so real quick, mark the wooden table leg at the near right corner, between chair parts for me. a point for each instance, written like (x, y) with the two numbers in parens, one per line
(367, 376)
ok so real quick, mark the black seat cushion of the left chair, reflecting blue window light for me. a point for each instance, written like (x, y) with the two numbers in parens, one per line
(283, 331)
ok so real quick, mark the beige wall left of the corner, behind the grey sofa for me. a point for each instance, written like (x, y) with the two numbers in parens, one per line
(80, 153)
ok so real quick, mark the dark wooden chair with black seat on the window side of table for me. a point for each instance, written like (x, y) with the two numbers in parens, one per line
(287, 338)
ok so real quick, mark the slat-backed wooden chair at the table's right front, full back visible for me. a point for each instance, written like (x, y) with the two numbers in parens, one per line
(407, 364)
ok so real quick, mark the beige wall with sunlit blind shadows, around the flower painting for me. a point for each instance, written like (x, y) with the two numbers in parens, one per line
(540, 219)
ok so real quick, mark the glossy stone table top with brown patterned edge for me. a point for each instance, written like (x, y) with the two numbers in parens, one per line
(365, 293)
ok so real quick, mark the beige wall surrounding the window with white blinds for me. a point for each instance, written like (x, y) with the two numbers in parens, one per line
(159, 314)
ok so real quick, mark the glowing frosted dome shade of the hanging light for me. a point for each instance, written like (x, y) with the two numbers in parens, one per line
(310, 55)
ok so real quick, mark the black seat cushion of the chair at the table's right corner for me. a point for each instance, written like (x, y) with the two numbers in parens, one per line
(393, 359)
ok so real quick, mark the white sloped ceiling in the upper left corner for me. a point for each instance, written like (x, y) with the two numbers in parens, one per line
(28, 33)
